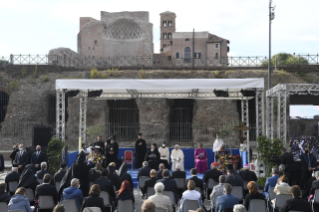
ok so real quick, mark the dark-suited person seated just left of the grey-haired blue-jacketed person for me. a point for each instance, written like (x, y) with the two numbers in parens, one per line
(45, 189)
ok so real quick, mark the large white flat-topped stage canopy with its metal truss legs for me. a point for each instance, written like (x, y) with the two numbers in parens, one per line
(115, 89)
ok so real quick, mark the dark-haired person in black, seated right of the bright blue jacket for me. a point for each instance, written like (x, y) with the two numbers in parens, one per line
(94, 200)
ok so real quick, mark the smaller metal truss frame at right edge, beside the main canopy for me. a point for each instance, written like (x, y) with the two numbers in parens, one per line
(281, 92)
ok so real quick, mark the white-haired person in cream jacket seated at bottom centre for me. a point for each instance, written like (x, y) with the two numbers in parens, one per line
(160, 200)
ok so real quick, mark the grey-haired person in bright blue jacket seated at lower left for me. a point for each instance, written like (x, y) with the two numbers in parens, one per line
(73, 192)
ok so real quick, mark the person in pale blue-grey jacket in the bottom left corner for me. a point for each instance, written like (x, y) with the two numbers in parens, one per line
(19, 201)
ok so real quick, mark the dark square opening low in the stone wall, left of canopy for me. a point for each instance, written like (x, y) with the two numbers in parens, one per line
(42, 135)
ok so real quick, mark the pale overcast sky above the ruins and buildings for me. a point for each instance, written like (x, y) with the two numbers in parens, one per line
(36, 26)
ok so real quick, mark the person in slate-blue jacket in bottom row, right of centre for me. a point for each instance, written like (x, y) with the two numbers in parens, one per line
(227, 200)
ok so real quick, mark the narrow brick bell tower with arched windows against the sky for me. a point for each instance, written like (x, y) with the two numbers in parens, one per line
(168, 27)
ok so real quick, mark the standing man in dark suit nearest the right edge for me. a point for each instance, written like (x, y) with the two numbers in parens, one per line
(308, 161)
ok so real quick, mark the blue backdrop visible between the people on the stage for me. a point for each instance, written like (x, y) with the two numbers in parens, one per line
(188, 156)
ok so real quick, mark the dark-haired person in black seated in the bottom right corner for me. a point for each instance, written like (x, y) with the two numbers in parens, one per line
(296, 203)
